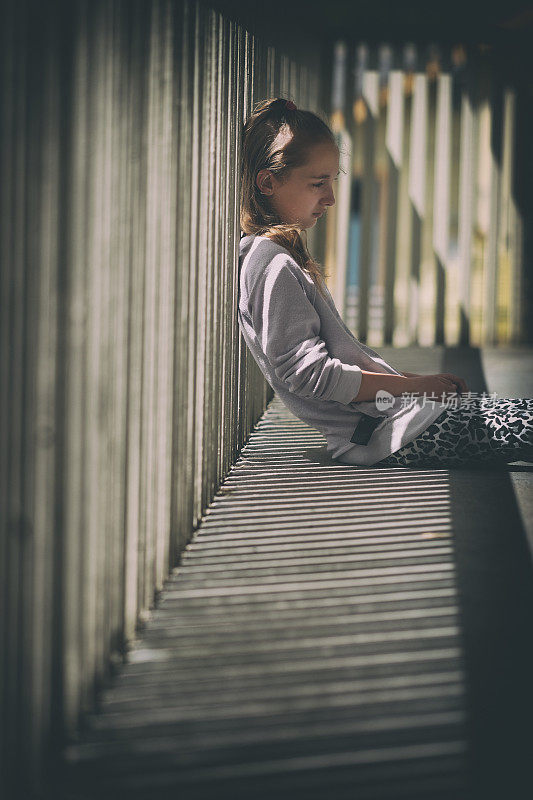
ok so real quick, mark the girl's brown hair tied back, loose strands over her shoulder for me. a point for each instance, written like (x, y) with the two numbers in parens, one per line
(300, 130)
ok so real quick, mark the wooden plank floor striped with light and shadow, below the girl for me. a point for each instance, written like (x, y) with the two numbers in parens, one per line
(331, 631)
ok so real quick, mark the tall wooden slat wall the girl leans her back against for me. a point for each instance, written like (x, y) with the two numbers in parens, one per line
(127, 390)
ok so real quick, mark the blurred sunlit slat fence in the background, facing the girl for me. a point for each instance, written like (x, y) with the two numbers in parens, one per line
(441, 228)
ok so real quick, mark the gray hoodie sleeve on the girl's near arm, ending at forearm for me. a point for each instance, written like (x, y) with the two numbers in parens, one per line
(288, 327)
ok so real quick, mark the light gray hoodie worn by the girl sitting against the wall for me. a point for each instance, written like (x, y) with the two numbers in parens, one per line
(313, 361)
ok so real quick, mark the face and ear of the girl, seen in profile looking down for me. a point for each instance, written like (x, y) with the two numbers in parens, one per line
(308, 192)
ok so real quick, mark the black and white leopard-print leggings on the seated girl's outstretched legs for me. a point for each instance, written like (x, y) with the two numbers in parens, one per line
(492, 432)
